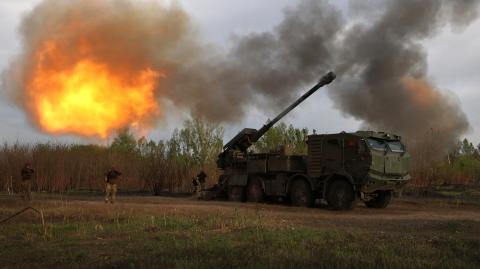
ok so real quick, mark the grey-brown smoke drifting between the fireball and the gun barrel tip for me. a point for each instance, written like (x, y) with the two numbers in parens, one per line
(268, 66)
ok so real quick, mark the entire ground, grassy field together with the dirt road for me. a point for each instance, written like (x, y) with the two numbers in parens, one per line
(152, 232)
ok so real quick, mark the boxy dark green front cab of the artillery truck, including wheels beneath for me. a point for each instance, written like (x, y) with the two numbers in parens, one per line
(365, 164)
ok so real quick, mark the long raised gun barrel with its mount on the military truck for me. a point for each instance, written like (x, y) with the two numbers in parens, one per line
(245, 138)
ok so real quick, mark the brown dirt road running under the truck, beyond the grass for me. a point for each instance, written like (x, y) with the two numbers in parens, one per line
(406, 214)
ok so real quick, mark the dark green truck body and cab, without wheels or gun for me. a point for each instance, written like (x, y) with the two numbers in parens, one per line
(369, 162)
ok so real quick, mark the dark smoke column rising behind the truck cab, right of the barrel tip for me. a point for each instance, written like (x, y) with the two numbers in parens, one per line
(385, 69)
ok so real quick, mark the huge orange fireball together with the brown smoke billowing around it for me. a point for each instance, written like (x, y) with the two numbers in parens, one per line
(90, 67)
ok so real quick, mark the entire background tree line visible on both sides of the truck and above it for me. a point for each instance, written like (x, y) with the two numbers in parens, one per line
(169, 165)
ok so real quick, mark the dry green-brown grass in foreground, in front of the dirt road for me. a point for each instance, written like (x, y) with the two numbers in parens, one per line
(85, 235)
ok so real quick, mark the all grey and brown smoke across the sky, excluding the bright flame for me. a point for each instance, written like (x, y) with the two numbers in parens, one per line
(381, 61)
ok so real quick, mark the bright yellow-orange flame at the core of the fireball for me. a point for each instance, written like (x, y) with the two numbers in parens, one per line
(87, 97)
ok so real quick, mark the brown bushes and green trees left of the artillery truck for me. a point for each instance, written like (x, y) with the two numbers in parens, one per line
(157, 166)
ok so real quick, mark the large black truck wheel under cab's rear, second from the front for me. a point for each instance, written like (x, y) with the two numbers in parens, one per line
(340, 195)
